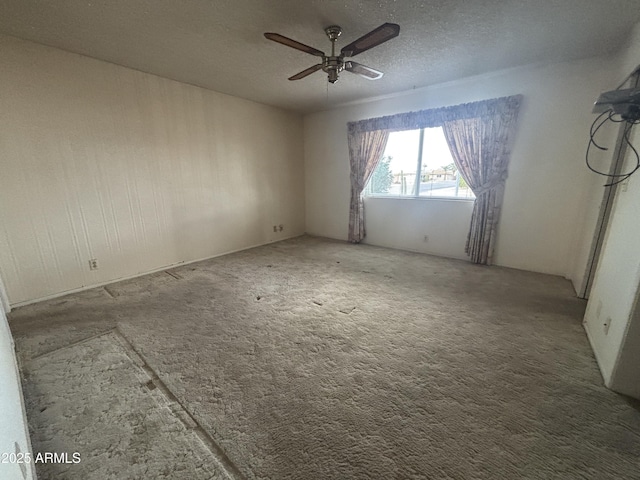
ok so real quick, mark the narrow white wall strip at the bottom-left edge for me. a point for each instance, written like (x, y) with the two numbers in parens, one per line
(13, 421)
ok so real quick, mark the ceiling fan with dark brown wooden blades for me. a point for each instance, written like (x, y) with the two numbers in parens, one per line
(333, 64)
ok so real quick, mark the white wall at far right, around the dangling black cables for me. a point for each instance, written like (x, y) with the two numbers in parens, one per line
(614, 298)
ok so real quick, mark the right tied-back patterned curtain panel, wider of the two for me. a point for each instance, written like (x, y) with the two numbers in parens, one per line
(480, 148)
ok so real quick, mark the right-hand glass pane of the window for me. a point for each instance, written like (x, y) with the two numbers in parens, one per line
(439, 175)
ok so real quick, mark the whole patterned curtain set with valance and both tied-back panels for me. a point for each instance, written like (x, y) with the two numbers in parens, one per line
(478, 134)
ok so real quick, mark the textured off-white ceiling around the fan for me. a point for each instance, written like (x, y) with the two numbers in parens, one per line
(218, 44)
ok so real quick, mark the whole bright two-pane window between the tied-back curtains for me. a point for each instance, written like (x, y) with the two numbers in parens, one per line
(418, 163)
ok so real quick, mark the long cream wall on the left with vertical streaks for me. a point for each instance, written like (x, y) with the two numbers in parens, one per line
(140, 172)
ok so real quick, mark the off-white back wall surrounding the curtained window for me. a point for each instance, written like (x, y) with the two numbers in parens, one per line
(544, 207)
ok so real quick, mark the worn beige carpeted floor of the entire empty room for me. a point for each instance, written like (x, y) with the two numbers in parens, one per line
(318, 359)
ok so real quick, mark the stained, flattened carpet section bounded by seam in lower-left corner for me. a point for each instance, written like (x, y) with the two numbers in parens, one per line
(94, 404)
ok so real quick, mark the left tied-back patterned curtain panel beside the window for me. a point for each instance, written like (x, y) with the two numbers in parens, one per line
(365, 152)
